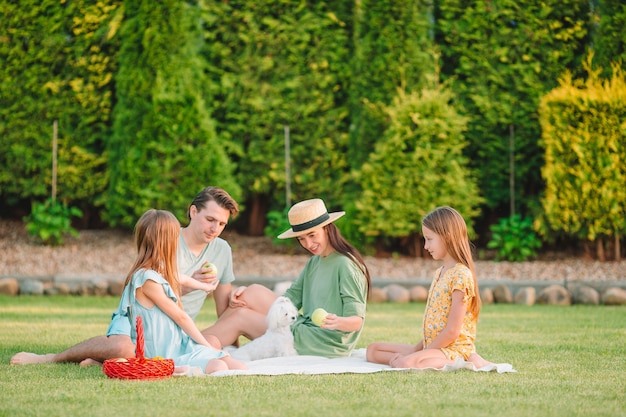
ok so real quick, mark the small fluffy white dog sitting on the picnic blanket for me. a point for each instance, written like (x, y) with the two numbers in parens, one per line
(277, 340)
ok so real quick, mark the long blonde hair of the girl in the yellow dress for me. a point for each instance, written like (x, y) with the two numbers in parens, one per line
(448, 224)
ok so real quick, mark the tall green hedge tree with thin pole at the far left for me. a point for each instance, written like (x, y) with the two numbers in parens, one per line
(58, 63)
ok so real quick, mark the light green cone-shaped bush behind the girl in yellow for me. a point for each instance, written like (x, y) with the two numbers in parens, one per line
(416, 166)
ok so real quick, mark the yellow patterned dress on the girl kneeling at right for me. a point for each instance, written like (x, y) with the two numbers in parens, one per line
(438, 307)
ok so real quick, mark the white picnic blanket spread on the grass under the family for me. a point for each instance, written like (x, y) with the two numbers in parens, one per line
(310, 365)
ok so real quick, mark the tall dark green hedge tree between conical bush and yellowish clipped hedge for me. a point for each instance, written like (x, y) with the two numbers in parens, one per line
(503, 56)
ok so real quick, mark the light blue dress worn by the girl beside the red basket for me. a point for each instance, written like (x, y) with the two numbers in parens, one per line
(162, 336)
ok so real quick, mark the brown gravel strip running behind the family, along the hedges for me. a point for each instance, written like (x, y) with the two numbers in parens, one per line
(111, 253)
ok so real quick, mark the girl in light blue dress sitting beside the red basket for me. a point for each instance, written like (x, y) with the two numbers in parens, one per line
(153, 292)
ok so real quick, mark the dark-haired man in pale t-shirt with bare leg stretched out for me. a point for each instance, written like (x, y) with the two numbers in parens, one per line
(199, 243)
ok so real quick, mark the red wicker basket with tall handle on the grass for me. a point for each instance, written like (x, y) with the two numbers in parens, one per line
(138, 367)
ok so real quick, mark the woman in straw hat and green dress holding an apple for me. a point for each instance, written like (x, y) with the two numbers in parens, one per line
(335, 279)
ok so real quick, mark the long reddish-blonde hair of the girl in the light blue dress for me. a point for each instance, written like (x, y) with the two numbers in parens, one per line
(156, 239)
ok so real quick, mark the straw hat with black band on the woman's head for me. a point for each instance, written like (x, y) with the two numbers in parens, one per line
(307, 215)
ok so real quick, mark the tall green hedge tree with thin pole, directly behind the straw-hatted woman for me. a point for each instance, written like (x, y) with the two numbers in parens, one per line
(281, 64)
